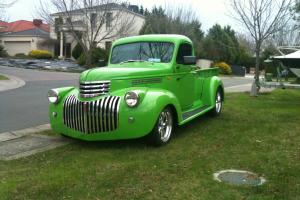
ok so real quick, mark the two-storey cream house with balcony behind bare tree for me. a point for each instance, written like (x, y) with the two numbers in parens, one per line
(84, 20)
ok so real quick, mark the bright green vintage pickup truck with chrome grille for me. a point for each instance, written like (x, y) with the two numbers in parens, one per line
(150, 86)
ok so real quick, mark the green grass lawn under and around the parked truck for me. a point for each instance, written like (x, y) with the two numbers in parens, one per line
(256, 134)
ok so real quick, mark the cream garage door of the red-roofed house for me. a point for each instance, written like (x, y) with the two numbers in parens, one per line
(13, 48)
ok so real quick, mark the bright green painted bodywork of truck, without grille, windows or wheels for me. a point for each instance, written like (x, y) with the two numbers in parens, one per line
(185, 88)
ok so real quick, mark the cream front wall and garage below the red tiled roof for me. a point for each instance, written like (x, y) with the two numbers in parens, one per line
(23, 44)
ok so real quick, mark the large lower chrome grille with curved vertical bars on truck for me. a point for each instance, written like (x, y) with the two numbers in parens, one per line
(92, 117)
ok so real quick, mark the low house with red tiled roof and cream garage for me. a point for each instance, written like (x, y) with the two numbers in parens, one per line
(23, 36)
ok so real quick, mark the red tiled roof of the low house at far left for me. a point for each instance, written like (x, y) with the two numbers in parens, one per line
(22, 25)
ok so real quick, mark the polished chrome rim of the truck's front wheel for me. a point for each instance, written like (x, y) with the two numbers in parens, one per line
(165, 125)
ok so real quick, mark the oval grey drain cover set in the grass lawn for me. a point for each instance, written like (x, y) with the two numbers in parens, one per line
(239, 177)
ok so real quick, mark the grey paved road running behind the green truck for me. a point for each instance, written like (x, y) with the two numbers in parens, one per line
(28, 106)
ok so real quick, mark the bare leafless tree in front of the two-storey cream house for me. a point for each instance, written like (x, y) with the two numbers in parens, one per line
(89, 22)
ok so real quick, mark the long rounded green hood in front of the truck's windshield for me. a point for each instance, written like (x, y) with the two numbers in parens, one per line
(124, 72)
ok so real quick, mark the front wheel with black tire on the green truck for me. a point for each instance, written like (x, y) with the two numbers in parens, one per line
(163, 129)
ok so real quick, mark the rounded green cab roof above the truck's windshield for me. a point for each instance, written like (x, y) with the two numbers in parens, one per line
(153, 38)
